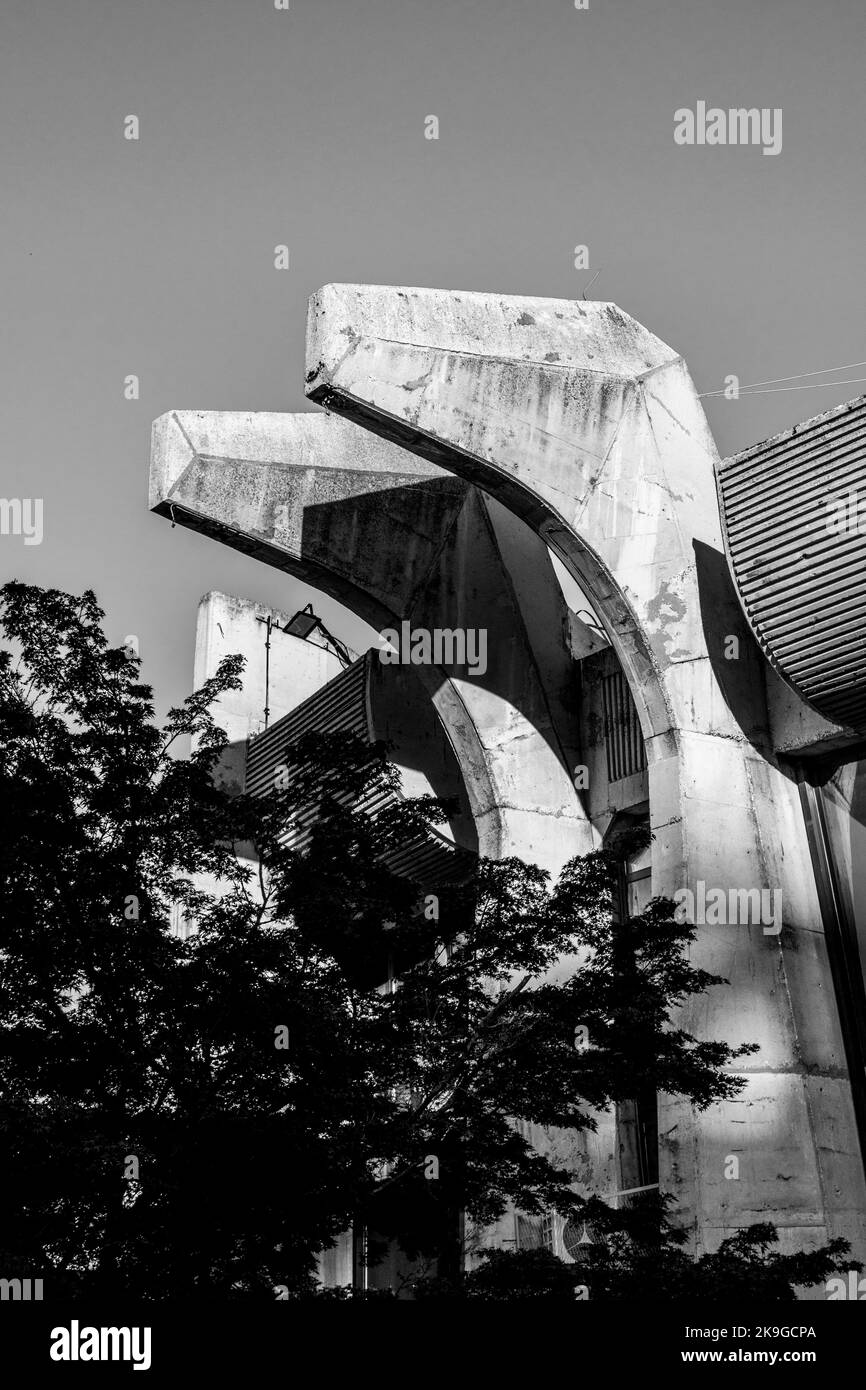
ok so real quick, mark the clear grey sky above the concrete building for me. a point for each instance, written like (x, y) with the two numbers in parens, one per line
(263, 127)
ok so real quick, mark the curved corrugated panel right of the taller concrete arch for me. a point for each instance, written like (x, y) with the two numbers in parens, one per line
(801, 578)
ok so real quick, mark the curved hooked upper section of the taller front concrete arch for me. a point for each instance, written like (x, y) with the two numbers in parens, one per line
(600, 444)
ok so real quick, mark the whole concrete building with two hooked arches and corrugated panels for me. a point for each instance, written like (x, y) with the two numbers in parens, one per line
(668, 639)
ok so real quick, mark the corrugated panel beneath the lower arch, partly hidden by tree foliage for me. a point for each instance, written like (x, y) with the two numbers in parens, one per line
(344, 707)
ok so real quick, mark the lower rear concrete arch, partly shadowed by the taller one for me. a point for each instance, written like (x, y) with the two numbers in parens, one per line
(398, 540)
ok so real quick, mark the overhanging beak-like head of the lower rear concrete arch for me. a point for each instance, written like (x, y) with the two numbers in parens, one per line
(308, 496)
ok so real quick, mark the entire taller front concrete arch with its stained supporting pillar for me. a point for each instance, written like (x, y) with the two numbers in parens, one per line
(590, 429)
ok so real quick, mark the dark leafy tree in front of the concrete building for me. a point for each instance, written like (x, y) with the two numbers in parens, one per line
(198, 1118)
